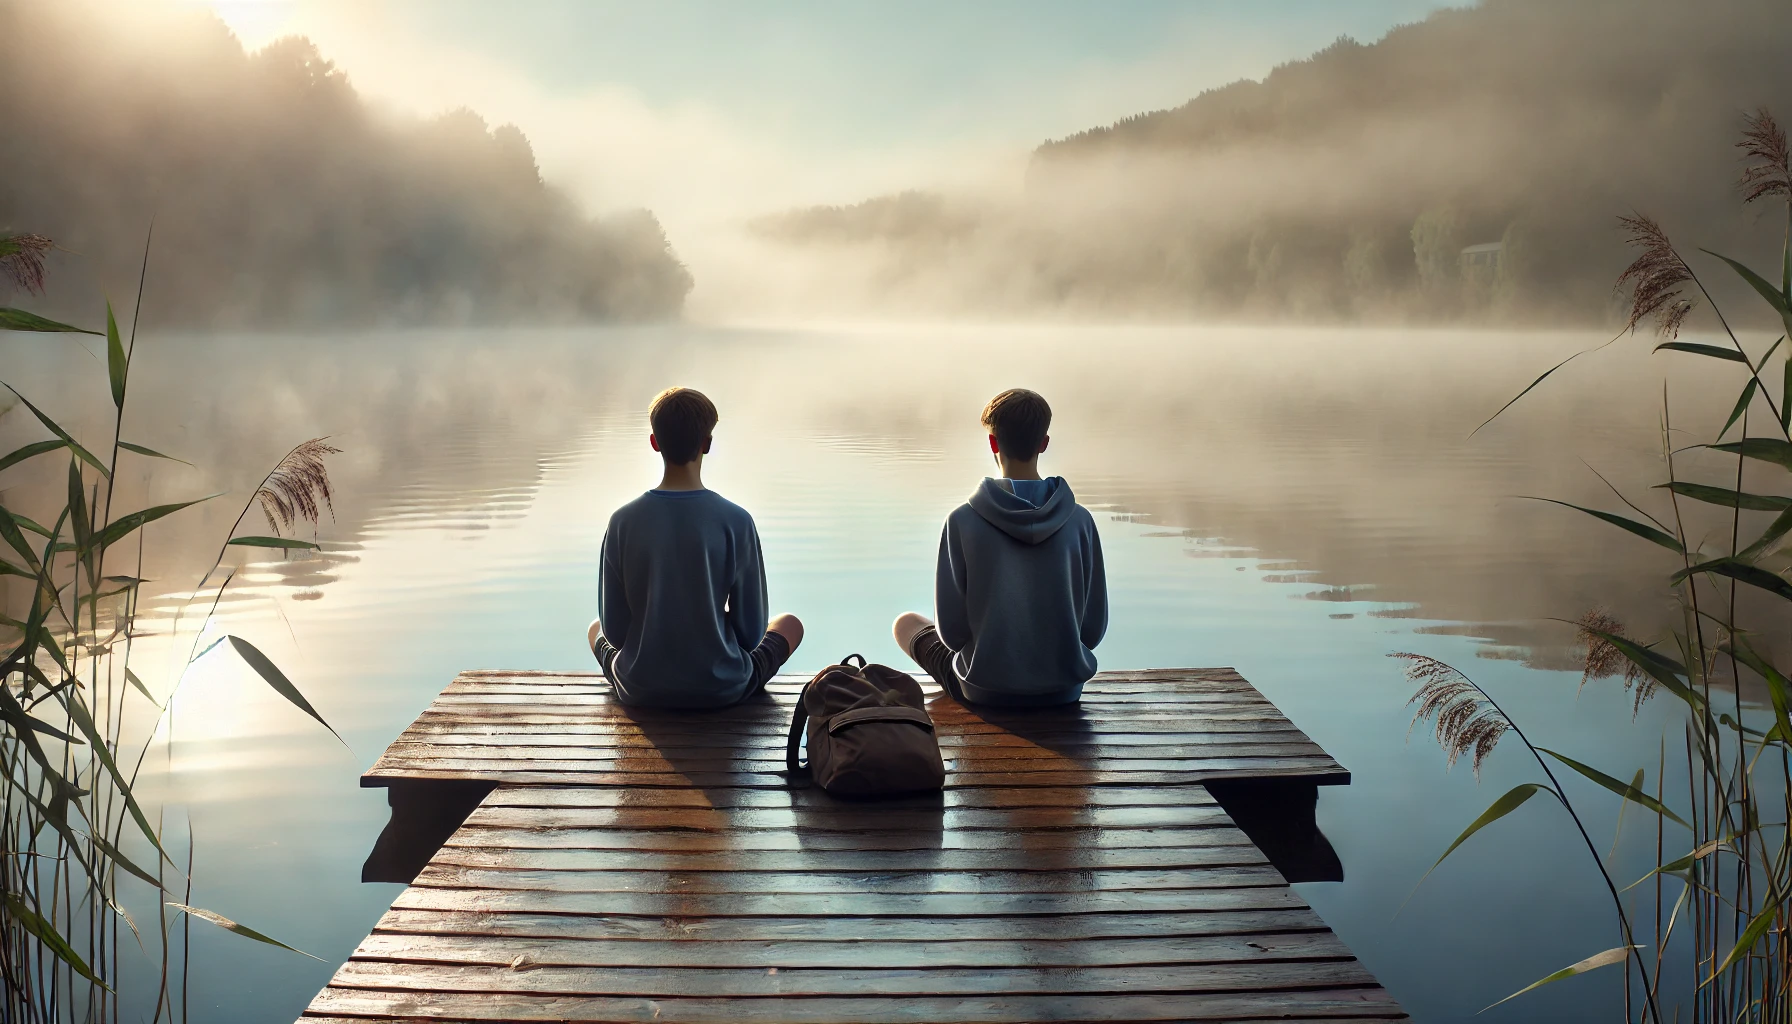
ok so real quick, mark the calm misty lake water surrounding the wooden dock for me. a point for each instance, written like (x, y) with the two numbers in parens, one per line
(1297, 505)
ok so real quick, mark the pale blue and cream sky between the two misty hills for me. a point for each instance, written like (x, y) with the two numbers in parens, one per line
(712, 112)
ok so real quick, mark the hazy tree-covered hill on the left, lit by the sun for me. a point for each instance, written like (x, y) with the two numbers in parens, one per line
(279, 196)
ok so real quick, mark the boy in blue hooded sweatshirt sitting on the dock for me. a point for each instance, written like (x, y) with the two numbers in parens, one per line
(1021, 591)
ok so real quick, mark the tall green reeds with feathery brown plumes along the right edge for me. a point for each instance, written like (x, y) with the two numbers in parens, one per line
(1721, 916)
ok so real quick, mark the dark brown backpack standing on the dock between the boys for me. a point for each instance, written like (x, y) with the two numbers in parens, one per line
(868, 733)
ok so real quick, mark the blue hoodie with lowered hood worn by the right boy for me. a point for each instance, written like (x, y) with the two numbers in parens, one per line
(1022, 594)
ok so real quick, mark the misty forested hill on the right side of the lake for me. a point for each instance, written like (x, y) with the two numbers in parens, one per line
(1350, 184)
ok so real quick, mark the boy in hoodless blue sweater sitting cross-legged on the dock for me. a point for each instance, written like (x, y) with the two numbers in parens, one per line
(682, 603)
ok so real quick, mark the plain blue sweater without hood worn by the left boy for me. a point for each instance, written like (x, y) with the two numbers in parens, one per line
(684, 598)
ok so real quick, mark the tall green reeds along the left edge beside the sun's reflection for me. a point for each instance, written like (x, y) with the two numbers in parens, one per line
(76, 838)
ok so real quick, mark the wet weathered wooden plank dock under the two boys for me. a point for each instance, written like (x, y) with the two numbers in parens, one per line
(635, 865)
